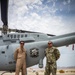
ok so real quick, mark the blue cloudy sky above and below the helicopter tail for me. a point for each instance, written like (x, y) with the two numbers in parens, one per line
(47, 16)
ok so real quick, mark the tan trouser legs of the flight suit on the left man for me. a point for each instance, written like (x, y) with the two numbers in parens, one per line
(20, 66)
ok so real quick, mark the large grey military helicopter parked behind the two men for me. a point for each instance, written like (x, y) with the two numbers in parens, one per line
(35, 43)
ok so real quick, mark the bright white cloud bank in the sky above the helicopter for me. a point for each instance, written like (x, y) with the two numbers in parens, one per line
(34, 21)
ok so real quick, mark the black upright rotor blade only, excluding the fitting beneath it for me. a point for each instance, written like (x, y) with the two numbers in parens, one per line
(4, 11)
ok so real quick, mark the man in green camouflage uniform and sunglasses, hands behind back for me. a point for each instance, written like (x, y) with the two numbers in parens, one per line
(52, 55)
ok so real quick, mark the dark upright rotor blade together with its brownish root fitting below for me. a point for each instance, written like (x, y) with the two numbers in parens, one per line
(4, 15)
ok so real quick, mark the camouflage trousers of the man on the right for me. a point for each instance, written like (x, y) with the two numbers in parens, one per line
(50, 68)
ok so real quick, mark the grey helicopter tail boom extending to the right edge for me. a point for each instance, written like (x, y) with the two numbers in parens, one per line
(63, 40)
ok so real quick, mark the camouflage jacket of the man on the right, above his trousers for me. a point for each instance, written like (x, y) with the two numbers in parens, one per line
(52, 54)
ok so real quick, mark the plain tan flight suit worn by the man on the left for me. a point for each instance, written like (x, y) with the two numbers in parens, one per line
(20, 57)
